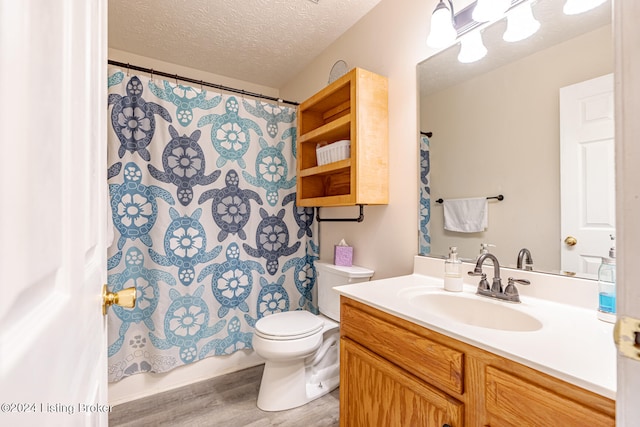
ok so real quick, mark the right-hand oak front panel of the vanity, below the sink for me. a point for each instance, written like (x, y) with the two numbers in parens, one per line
(513, 401)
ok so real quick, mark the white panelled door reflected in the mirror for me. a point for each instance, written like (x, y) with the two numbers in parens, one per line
(587, 172)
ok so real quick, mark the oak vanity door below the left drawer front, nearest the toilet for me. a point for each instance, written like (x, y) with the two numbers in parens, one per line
(375, 392)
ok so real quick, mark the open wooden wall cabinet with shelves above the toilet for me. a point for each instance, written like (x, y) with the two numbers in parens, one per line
(354, 108)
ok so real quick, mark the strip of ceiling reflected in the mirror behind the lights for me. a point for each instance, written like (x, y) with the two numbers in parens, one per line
(443, 69)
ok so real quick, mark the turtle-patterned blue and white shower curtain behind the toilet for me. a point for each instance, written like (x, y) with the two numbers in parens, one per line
(205, 226)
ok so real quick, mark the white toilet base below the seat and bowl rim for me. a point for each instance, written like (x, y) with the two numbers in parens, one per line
(287, 385)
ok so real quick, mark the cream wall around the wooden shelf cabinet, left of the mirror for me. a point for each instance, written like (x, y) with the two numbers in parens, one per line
(390, 40)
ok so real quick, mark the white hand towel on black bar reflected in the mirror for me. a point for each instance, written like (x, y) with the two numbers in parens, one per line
(466, 215)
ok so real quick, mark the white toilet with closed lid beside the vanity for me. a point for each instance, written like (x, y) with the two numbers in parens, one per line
(302, 349)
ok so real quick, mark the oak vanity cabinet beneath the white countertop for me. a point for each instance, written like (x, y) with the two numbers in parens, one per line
(396, 373)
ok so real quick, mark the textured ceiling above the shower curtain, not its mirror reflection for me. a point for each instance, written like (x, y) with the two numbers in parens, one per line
(265, 42)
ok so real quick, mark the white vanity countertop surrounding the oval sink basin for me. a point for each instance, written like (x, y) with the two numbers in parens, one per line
(572, 344)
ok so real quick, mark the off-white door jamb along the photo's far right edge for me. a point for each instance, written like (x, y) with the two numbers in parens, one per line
(627, 34)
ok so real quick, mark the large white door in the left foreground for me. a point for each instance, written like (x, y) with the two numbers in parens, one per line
(52, 212)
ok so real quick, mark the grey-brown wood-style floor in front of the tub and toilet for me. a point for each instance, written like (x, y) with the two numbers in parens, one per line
(226, 401)
